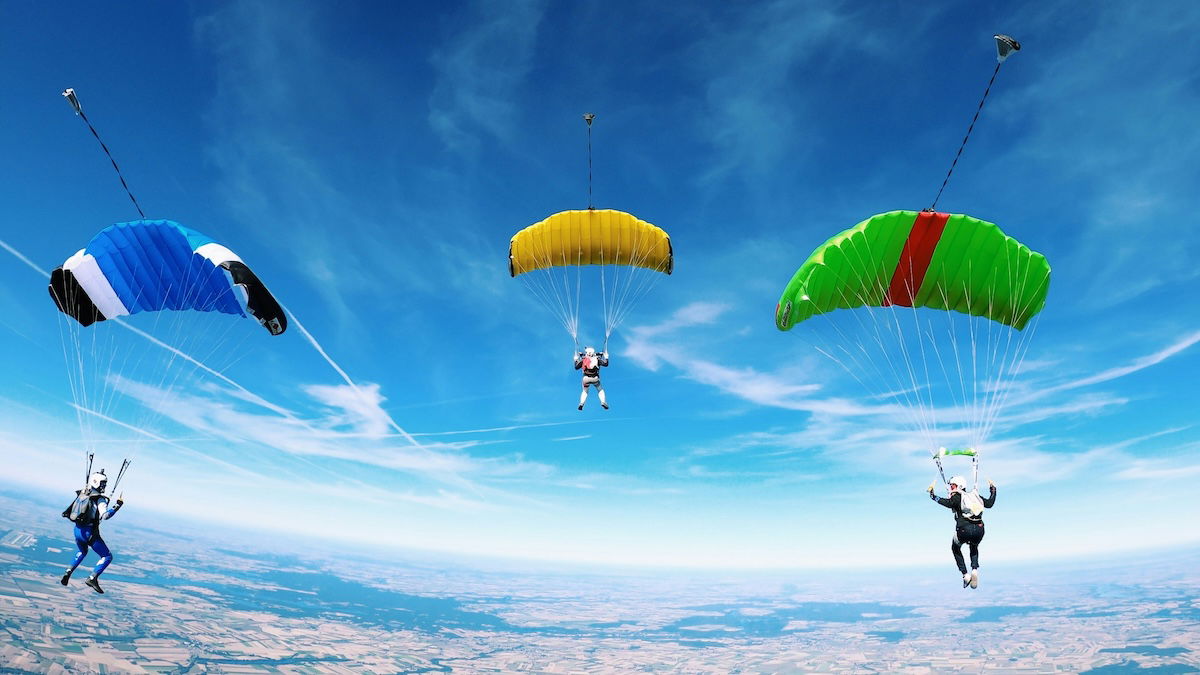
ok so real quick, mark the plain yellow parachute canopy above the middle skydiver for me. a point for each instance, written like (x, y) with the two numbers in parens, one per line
(591, 237)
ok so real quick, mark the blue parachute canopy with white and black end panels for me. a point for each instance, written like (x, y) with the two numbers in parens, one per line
(155, 266)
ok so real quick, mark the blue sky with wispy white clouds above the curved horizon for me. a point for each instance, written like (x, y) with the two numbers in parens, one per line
(371, 162)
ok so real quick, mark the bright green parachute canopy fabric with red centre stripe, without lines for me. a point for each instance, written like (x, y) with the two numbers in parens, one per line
(920, 260)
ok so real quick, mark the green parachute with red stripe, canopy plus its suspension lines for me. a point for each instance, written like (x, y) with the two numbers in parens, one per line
(932, 313)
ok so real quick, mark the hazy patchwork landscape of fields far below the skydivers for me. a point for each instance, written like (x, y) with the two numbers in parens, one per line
(179, 604)
